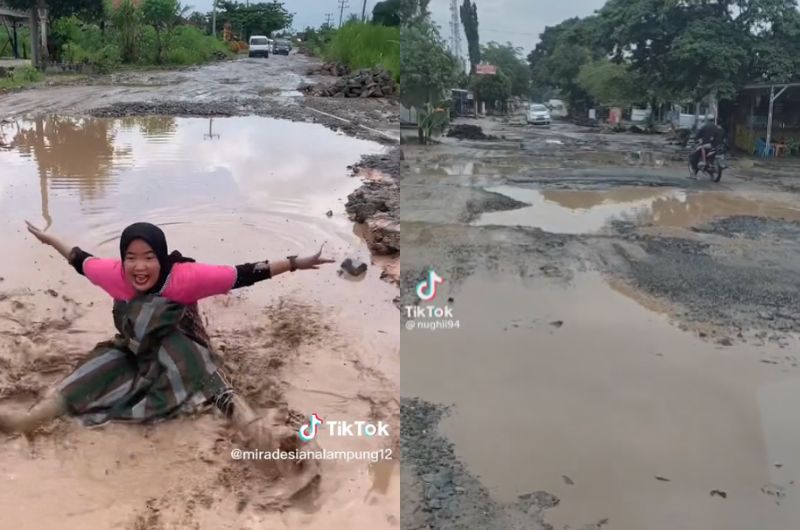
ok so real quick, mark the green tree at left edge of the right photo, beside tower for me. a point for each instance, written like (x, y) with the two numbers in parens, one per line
(429, 71)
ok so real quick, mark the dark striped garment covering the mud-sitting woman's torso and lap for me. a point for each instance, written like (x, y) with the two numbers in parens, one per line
(159, 364)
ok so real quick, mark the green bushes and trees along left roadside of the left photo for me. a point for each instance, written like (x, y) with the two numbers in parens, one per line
(101, 36)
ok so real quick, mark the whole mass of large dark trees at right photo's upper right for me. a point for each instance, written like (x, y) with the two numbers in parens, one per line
(702, 50)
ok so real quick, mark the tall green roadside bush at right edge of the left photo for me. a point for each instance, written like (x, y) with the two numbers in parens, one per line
(360, 45)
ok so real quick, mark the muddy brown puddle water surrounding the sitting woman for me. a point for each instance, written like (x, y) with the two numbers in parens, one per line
(226, 191)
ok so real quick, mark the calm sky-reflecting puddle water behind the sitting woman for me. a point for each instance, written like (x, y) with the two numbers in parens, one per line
(98, 174)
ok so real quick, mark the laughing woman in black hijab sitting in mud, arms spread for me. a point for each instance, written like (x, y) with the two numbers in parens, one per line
(161, 362)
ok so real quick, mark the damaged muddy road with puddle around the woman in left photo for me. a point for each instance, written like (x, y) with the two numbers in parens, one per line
(232, 175)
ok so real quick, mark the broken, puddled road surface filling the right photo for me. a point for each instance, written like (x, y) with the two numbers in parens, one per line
(626, 355)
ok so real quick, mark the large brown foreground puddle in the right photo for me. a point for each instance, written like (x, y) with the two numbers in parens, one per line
(612, 398)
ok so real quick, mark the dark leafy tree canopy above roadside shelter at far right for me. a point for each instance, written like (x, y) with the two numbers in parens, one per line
(694, 48)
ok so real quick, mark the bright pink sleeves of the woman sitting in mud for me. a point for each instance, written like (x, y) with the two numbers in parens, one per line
(186, 284)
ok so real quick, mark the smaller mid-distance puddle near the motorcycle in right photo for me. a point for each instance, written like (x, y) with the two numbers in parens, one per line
(589, 211)
